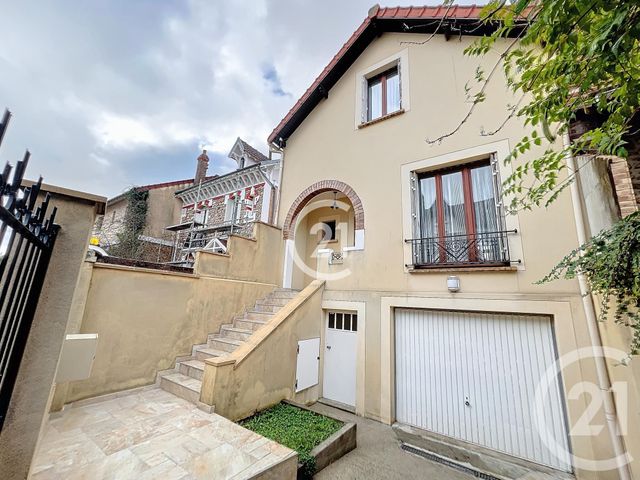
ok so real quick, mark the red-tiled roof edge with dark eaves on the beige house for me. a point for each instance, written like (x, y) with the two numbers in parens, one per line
(448, 20)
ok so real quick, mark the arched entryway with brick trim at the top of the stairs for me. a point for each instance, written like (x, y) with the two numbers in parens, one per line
(327, 218)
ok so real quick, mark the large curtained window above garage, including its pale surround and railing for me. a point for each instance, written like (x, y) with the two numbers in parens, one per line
(453, 211)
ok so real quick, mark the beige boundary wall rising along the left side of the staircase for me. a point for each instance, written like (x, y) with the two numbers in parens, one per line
(146, 318)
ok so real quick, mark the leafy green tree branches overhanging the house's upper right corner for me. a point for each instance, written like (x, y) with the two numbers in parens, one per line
(575, 55)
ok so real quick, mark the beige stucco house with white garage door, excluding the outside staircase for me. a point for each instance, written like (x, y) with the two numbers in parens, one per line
(432, 318)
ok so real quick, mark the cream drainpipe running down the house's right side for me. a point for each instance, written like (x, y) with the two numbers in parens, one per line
(604, 382)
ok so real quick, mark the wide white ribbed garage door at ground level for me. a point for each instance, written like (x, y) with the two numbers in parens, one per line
(473, 377)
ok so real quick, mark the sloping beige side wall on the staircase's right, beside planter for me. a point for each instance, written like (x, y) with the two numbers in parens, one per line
(262, 372)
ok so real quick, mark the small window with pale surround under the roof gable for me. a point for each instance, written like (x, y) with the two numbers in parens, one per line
(383, 89)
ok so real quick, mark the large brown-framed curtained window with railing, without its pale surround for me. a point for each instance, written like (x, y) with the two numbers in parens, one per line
(459, 219)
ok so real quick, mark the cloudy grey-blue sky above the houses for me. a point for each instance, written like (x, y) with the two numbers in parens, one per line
(110, 94)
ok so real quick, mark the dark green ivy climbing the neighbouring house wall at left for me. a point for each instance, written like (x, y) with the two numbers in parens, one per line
(135, 218)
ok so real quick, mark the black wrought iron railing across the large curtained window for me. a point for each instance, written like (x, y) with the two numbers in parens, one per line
(488, 248)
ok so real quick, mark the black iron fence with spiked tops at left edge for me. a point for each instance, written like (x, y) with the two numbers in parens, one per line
(27, 236)
